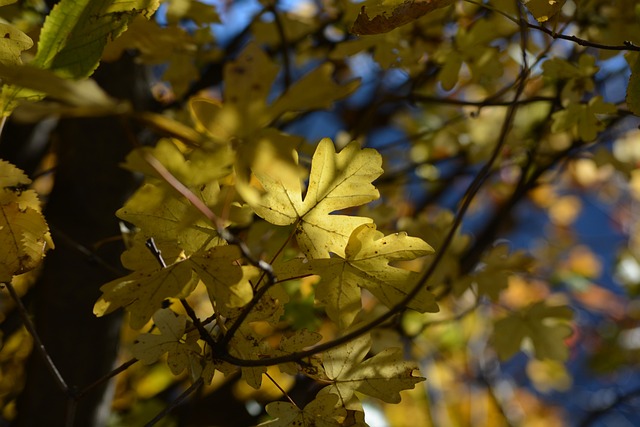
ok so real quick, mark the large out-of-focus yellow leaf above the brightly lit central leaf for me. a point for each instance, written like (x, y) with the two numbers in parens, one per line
(259, 147)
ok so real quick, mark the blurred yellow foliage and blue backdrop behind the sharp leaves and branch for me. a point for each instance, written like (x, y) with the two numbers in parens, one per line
(555, 221)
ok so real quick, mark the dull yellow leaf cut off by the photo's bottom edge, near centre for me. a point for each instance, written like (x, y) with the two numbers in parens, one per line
(320, 412)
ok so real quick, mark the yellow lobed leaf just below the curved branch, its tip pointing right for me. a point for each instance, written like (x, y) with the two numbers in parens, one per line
(382, 376)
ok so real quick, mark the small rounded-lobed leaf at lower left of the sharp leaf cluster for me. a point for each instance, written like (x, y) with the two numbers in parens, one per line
(148, 348)
